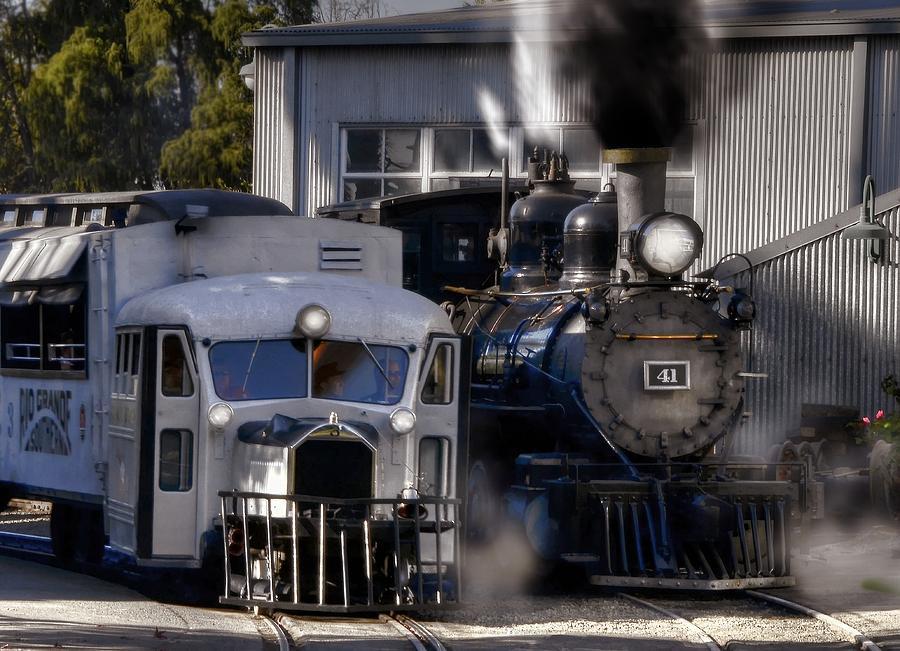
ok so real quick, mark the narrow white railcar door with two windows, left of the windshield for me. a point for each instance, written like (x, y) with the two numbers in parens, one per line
(174, 449)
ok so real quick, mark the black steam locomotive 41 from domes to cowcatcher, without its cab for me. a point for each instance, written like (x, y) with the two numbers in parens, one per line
(605, 385)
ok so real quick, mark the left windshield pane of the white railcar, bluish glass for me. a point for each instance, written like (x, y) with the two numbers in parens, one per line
(260, 369)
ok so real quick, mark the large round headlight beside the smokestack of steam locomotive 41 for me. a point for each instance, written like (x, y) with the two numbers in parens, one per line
(666, 244)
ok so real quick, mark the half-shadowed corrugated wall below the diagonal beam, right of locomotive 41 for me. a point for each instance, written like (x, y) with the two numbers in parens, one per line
(827, 333)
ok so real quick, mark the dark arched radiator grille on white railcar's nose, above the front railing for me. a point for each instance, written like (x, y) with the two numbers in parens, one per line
(334, 468)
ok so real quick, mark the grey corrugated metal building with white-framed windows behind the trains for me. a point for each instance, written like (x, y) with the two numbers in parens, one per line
(791, 106)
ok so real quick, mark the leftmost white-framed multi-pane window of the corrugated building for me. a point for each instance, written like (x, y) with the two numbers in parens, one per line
(381, 162)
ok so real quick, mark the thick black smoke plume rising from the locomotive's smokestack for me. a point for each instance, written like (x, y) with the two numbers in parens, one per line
(634, 56)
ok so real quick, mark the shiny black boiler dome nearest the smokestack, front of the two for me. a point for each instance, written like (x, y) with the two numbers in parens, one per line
(590, 236)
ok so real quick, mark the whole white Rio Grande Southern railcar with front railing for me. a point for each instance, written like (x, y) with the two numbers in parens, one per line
(217, 383)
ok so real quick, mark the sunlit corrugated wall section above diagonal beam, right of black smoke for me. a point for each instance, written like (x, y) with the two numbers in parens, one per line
(778, 115)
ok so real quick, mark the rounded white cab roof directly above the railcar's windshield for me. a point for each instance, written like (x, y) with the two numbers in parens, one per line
(265, 305)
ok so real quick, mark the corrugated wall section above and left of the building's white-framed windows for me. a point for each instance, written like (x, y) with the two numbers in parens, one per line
(417, 85)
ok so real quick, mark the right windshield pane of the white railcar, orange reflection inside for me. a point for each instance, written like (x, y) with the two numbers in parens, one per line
(359, 372)
